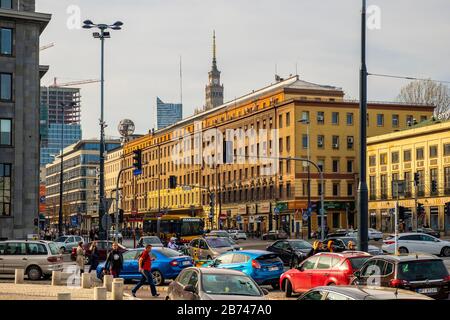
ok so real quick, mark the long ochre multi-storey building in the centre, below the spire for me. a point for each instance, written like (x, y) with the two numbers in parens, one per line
(244, 196)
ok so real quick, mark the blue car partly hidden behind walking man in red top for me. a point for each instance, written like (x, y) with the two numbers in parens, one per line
(168, 264)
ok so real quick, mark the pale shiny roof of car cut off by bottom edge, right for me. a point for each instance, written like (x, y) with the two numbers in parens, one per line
(381, 293)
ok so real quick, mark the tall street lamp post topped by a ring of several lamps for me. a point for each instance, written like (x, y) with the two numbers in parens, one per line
(102, 35)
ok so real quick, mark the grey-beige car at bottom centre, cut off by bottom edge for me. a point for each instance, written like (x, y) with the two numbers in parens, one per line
(214, 284)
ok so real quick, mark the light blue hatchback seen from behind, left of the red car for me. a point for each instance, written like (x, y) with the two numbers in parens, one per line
(263, 266)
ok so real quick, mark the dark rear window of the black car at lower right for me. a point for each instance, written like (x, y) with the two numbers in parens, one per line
(422, 270)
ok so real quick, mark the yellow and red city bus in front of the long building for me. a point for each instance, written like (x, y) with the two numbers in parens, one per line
(175, 226)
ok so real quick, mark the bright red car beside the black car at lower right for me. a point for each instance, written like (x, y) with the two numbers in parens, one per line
(322, 269)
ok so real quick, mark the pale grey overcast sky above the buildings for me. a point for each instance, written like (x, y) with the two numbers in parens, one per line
(321, 37)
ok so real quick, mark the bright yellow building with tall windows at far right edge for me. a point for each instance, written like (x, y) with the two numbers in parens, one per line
(422, 149)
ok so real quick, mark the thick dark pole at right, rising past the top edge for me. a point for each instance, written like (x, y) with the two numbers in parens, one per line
(363, 241)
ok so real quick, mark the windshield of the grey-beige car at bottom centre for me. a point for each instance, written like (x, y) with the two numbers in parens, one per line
(223, 284)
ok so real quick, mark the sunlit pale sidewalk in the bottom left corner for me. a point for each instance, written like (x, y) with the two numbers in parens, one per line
(10, 291)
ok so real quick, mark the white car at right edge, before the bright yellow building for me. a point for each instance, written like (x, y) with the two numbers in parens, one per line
(417, 242)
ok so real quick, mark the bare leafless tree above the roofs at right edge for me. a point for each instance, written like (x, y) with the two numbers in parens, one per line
(427, 92)
